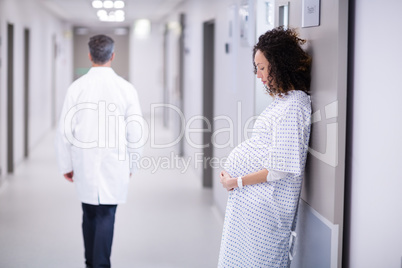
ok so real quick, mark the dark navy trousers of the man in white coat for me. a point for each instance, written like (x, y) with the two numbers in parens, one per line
(97, 228)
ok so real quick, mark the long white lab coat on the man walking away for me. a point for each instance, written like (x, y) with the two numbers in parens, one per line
(101, 124)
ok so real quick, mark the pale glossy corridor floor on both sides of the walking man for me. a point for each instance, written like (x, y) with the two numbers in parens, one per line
(168, 221)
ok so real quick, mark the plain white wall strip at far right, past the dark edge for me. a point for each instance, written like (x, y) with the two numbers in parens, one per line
(376, 199)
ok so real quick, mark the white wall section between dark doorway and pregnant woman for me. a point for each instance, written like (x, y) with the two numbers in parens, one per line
(234, 95)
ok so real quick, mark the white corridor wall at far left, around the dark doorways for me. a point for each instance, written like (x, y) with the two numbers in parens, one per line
(43, 26)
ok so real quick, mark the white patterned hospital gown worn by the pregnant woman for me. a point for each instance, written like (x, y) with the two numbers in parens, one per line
(260, 218)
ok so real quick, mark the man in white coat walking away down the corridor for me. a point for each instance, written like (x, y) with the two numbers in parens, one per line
(100, 125)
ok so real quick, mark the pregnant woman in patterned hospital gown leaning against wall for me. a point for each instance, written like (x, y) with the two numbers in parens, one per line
(264, 173)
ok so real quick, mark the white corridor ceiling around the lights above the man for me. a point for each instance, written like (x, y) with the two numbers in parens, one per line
(81, 13)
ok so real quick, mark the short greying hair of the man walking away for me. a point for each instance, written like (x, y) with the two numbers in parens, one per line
(101, 48)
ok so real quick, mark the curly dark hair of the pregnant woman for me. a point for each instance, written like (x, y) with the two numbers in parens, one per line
(289, 64)
